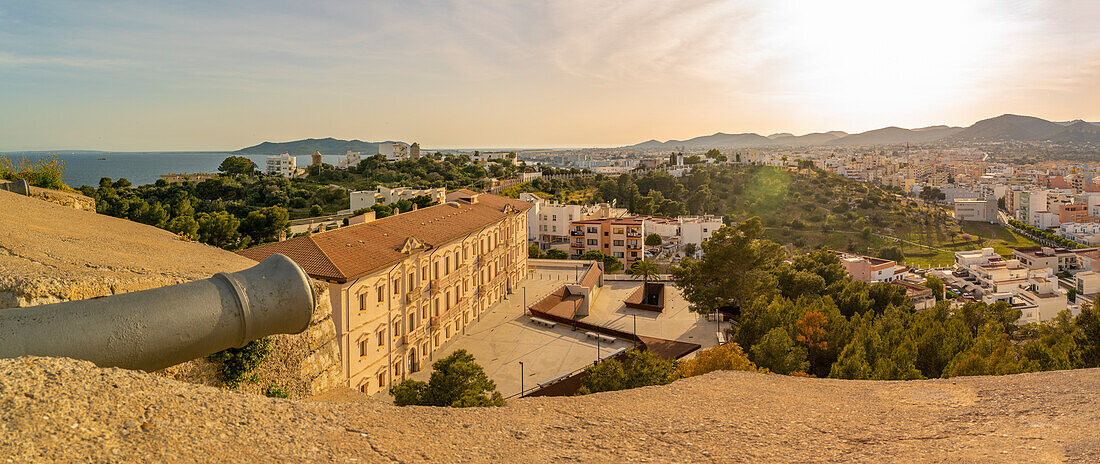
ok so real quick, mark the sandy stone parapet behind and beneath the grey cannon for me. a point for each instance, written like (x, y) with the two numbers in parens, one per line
(51, 253)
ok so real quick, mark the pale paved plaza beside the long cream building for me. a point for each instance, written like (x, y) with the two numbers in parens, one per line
(504, 337)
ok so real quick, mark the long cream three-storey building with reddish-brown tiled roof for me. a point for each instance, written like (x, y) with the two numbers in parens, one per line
(403, 285)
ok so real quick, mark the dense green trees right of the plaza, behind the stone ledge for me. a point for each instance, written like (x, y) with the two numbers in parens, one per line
(804, 315)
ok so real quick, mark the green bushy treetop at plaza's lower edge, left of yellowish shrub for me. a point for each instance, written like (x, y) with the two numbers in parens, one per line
(639, 369)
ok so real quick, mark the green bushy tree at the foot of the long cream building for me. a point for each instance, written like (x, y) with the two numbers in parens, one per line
(457, 382)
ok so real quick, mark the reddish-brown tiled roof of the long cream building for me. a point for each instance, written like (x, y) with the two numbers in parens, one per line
(350, 252)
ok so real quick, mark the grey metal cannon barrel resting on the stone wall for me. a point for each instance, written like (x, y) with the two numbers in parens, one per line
(153, 329)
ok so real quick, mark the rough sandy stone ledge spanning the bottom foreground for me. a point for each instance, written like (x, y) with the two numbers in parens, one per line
(64, 411)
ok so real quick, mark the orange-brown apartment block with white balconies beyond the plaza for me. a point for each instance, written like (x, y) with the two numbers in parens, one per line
(622, 238)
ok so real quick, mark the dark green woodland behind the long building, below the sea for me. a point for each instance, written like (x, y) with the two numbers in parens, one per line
(243, 208)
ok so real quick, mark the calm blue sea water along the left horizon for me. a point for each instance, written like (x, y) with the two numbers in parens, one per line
(87, 169)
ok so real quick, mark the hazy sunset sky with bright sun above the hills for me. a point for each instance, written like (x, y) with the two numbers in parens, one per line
(216, 75)
